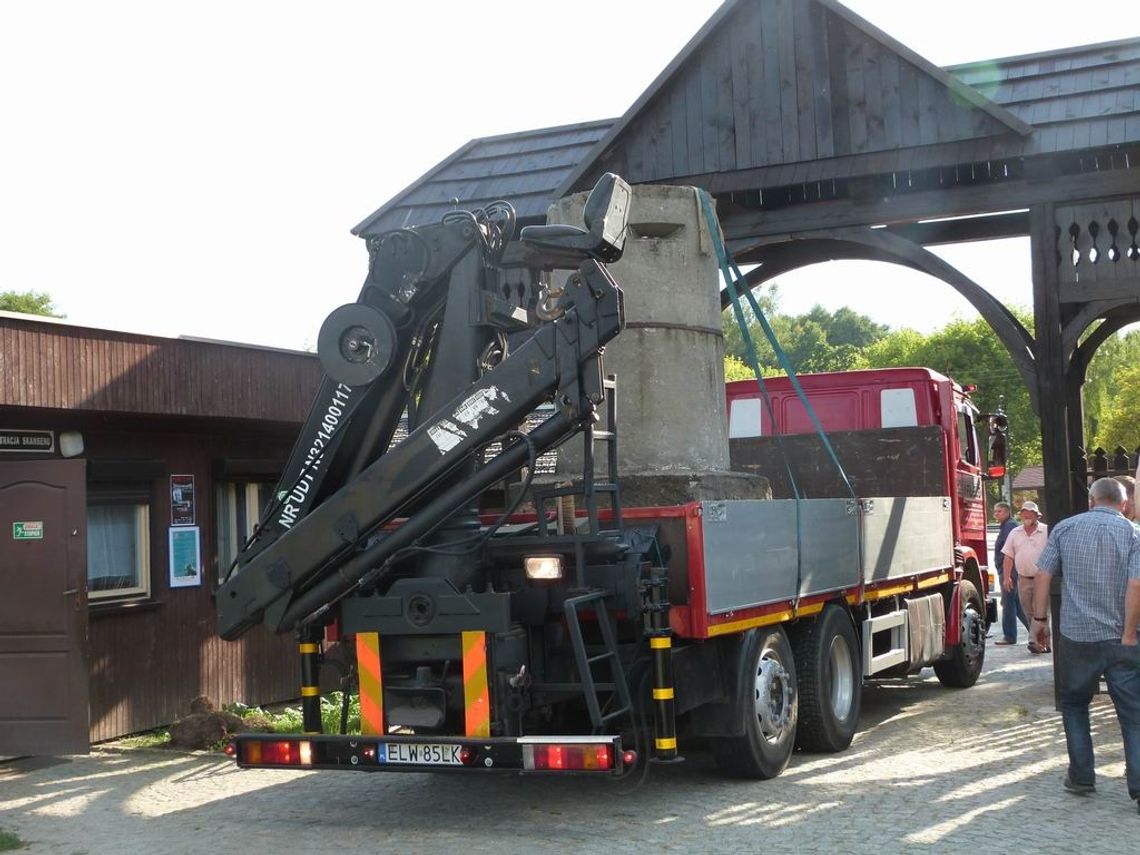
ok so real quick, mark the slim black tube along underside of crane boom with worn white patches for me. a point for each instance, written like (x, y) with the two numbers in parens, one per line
(319, 599)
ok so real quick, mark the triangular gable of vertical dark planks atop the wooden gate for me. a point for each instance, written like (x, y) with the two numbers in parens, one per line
(791, 82)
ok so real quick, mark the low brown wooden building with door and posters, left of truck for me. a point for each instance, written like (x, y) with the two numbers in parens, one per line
(132, 468)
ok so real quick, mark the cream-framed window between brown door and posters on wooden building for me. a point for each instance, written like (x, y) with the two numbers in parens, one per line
(118, 550)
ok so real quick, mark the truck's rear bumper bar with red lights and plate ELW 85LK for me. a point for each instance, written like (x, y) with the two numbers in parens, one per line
(526, 755)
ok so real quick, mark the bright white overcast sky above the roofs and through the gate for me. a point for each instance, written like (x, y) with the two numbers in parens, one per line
(196, 169)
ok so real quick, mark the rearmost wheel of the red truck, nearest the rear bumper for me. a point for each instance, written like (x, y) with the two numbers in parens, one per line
(767, 695)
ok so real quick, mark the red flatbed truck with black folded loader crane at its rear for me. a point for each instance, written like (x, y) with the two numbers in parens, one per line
(556, 642)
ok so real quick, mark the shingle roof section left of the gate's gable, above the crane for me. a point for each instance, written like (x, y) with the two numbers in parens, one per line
(524, 168)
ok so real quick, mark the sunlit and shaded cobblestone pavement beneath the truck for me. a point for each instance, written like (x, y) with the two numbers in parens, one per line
(932, 769)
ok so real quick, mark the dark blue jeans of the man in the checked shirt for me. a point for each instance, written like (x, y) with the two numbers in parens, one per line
(1081, 667)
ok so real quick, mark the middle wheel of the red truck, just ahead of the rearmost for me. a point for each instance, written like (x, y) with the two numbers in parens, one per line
(830, 682)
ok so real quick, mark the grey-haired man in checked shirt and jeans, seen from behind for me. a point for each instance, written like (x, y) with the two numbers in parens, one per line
(1097, 557)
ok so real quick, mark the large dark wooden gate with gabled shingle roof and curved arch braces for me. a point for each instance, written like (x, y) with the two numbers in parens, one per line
(821, 137)
